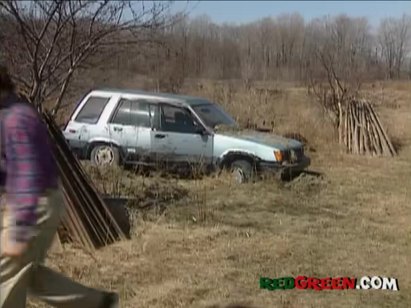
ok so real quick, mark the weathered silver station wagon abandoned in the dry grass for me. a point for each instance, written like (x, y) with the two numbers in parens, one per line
(114, 126)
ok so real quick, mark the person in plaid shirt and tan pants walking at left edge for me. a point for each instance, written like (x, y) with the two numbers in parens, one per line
(31, 209)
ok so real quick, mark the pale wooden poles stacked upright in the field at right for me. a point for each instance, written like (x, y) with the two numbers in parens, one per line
(363, 131)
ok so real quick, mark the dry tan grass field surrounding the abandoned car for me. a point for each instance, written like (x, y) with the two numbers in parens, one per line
(207, 241)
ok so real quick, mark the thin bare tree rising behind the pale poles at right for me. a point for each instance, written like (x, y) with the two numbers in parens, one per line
(338, 68)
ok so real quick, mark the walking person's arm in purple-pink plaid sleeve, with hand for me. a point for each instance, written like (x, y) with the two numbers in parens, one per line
(23, 184)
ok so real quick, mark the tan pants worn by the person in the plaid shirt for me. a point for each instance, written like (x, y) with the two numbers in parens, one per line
(27, 274)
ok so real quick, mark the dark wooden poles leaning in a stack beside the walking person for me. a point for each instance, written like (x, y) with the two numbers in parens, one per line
(88, 221)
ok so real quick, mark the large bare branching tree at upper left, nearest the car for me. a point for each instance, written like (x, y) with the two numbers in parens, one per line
(45, 42)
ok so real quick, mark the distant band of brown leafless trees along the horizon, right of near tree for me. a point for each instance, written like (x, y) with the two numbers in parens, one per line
(283, 48)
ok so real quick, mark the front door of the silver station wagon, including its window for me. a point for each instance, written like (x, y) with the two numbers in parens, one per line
(178, 138)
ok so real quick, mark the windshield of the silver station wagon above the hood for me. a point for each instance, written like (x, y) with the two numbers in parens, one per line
(213, 115)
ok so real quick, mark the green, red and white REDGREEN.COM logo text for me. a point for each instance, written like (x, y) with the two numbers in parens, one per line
(339, 283)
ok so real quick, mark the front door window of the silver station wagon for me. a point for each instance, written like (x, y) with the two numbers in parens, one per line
(176, 119)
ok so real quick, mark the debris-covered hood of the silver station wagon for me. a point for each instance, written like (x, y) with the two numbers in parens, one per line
(268, 139)
